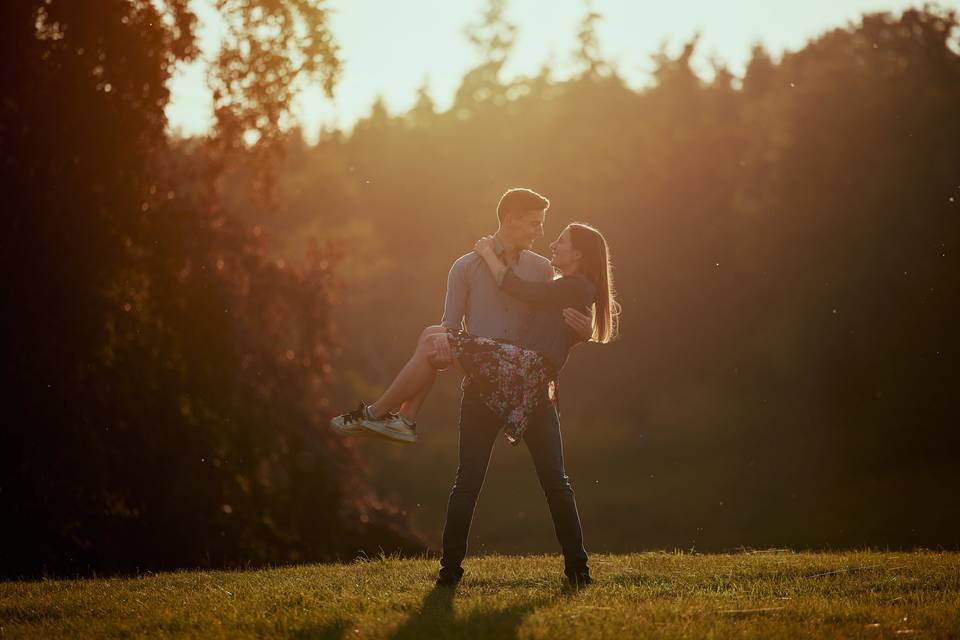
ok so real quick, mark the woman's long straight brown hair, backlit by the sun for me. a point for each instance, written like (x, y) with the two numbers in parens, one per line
(595, 265)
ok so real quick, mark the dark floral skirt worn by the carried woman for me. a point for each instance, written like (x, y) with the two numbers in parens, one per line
(513, 381)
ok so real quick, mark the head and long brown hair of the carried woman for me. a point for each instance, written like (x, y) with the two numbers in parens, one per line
(583, 249)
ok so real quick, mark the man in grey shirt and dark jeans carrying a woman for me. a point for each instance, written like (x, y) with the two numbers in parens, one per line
(475, 303)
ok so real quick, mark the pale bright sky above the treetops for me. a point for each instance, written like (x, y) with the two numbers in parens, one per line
(390, 48)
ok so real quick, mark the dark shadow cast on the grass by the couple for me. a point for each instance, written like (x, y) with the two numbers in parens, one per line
(436, 619)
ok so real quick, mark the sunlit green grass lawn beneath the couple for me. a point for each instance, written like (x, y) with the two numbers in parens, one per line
(771, 594)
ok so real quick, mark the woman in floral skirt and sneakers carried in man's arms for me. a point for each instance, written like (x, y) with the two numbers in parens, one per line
(515, 377)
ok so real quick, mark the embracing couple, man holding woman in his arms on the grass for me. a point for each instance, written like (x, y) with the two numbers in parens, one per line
(510, 319)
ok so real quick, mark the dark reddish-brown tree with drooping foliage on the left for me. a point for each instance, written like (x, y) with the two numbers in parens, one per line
(167, 377)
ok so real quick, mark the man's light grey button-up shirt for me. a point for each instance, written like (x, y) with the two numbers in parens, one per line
(477, 304)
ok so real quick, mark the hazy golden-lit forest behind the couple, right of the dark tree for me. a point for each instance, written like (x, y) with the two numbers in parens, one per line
(787, 249)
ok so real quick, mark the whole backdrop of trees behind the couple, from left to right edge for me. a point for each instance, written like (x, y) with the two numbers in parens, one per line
(185, 315)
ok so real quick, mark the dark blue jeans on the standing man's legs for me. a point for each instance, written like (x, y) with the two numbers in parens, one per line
(479, 428)
